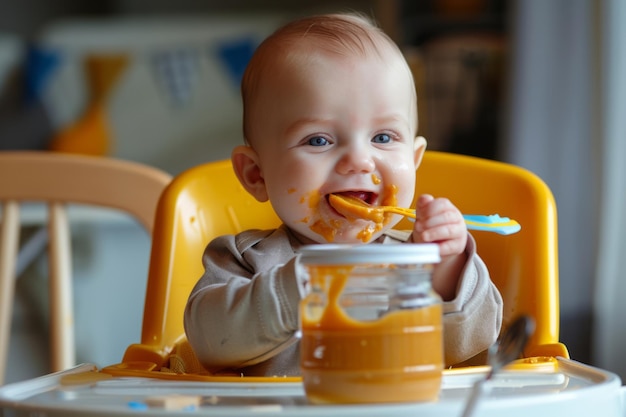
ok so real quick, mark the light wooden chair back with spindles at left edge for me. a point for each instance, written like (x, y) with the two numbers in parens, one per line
(57, 180)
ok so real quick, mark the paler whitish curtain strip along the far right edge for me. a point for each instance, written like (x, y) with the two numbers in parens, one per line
(609, 332)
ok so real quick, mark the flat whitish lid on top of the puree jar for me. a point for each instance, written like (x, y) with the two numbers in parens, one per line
(400, 253)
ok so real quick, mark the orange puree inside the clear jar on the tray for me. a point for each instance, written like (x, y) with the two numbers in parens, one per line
(397, 357)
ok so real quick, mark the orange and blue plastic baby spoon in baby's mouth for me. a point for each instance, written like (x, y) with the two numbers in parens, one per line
(353, 207)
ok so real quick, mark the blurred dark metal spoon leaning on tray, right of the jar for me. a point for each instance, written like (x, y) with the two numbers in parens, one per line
(505, 350)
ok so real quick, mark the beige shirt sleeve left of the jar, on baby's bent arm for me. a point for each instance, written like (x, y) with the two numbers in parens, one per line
(236, 317)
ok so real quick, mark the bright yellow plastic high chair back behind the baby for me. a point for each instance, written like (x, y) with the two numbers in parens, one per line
(207, 201)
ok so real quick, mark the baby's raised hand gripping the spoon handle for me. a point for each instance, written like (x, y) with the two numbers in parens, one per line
(439, 221)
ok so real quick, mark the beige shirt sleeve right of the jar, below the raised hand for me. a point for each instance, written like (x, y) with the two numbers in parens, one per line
(472, 320)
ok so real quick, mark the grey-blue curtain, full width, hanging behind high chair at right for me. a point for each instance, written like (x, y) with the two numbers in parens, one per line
(567, 123)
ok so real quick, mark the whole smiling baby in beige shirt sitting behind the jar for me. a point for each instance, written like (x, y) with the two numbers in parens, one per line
(329, 108)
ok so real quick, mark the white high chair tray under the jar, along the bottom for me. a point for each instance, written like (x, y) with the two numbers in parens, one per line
(571, 389)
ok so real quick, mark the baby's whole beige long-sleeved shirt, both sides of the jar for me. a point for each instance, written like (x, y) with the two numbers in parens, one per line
(243, 312)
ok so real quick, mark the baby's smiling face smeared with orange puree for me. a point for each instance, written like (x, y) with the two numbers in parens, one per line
(332, 124)
